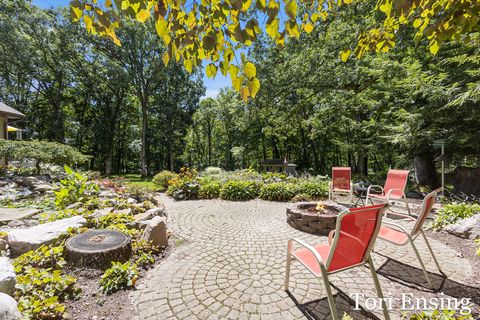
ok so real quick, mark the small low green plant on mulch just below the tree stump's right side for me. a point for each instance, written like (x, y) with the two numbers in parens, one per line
(119, 276)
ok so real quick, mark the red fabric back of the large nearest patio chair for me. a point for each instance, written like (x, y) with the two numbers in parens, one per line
(355, 235)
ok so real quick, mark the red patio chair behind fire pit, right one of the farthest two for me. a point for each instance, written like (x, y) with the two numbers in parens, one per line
(394, 189)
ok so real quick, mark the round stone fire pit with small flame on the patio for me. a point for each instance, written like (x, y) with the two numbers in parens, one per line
(304, 216)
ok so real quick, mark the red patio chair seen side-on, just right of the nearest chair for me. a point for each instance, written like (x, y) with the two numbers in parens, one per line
(398, 235)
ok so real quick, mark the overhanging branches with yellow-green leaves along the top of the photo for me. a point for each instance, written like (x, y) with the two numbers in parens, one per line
(213, 30)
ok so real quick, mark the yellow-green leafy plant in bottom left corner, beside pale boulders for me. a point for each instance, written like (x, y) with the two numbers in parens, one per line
(39, 293)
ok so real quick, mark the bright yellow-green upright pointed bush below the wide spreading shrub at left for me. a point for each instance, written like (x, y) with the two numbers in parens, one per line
(74, 188)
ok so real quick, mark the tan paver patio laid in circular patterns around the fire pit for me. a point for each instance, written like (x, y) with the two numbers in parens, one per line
(232, 266)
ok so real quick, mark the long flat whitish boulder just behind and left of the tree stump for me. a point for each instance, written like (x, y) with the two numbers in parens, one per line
(24, 240)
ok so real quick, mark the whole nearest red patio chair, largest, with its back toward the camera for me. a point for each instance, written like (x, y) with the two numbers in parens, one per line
(349, 246)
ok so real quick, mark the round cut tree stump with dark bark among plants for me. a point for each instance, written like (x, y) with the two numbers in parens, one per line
(98, 248)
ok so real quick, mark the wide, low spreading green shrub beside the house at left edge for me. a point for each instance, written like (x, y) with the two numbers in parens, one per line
(41, 152)
